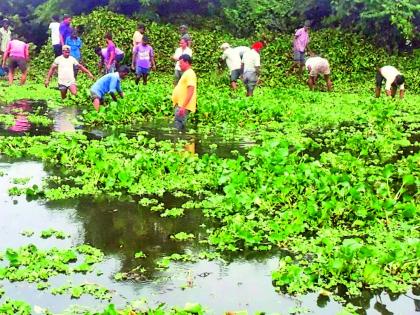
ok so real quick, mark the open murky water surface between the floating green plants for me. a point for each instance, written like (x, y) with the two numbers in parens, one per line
(120, 229)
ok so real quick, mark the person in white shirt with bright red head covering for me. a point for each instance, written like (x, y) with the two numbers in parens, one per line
(251, 67)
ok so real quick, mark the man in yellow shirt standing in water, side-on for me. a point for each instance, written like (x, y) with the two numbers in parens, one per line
(184, 95)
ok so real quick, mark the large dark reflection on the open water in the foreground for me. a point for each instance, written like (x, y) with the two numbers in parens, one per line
(124, 228)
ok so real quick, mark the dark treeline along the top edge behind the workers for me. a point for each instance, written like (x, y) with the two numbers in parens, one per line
(393, 24)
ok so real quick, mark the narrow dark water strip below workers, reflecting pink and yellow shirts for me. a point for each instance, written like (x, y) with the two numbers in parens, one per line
(65, 120)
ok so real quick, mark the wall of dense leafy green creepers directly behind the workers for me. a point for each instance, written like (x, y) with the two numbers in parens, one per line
(353, 59)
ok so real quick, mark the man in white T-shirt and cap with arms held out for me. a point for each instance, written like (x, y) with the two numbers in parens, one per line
(65, 65)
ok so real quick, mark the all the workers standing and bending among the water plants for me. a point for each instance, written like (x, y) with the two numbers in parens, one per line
(243, 63)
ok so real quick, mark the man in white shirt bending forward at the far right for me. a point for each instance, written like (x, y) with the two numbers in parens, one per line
(393, 78)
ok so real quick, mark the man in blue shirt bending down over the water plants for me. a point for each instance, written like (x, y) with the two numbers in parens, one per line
(109, 83)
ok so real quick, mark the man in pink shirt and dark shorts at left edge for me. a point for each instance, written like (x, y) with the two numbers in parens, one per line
(18, 54)
